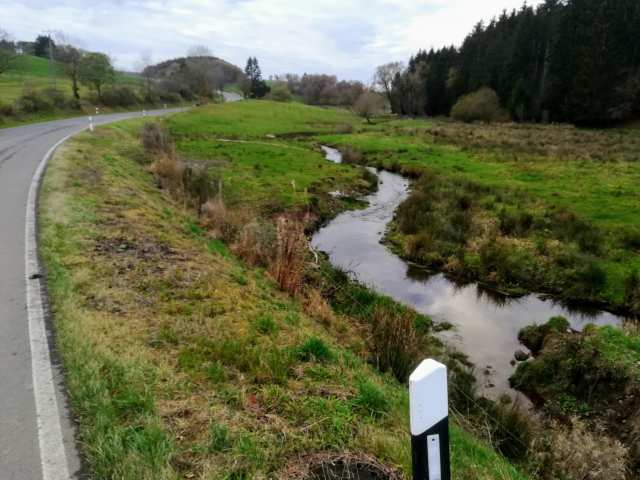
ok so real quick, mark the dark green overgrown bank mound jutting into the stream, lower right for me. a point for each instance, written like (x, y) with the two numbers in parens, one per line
(592, 377)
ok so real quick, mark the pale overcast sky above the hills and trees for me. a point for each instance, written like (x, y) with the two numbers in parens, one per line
(342, 37)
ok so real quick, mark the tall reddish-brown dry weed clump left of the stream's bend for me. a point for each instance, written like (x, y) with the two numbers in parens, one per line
(287, 267)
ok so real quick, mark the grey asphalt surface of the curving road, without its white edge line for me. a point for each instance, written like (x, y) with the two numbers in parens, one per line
(21, 151)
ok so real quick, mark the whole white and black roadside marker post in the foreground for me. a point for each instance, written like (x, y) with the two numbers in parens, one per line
(429, 406)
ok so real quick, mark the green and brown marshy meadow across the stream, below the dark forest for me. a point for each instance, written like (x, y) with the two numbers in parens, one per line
(519, 207)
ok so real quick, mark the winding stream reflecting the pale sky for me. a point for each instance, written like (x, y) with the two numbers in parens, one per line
(485, 326)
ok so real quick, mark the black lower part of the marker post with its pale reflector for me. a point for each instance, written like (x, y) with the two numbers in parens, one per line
(430, 452)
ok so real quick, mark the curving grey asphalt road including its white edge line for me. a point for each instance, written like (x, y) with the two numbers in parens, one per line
(30, 435)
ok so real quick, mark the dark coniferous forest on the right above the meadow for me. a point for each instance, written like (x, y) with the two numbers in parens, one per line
(572, 61)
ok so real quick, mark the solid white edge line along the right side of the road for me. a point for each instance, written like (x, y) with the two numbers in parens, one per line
(53, 455)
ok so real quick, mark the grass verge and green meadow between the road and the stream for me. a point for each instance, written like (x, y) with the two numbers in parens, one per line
(181, 359)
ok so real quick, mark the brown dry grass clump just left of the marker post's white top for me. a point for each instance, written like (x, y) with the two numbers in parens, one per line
(394, 340)
